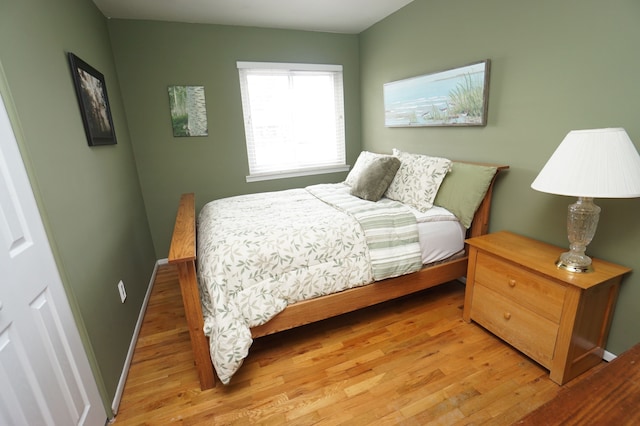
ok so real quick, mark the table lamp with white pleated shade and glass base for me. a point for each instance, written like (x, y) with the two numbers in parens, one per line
(588, 164)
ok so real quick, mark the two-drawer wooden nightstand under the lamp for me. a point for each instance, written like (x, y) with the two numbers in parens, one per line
(558, 318)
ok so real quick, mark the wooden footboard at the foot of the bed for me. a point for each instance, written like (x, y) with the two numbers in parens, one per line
(182, 253)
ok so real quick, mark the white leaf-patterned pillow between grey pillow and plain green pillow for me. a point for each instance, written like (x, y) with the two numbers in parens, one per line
(417, 181)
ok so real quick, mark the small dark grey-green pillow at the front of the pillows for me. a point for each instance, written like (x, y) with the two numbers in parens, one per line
(374, 179)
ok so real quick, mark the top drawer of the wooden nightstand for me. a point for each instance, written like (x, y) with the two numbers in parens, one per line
(532, 291)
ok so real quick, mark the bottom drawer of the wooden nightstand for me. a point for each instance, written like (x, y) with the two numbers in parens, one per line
(529, 332)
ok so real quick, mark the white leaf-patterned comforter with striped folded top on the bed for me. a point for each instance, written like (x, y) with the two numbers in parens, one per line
(259, 253)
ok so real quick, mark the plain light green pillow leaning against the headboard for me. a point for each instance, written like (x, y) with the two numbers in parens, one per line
(463, 189)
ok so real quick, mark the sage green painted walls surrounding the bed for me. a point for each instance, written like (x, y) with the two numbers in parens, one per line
(556, 66)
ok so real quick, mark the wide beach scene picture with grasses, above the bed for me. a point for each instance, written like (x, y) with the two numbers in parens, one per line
(456, 97)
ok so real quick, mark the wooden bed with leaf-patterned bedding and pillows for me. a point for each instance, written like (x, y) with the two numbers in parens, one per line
(371, 225)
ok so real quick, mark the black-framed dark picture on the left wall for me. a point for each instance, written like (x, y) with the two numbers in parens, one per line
(91, 91)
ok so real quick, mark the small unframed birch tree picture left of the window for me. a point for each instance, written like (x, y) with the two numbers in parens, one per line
(188, 111)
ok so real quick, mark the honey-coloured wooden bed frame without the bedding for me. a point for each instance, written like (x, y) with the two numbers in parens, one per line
(182, 253)
